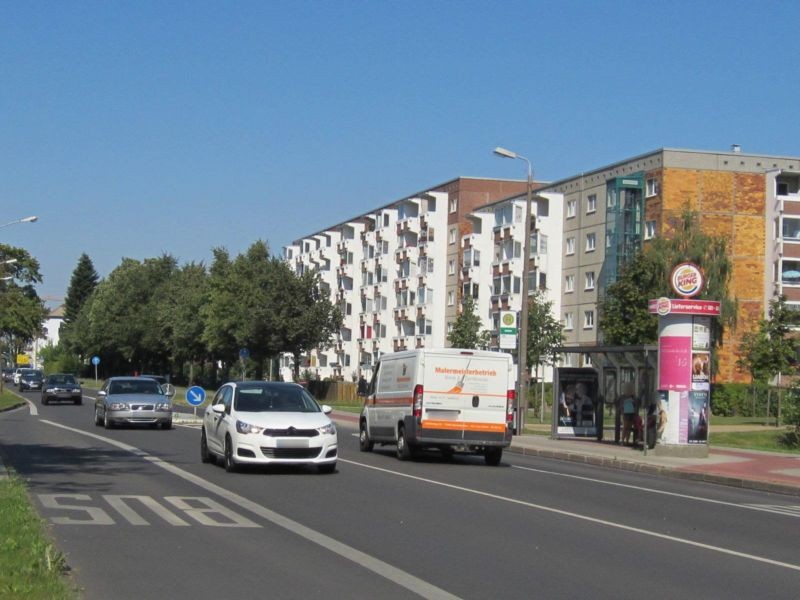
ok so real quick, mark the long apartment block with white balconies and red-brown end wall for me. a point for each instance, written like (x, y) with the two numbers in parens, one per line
(394, 271)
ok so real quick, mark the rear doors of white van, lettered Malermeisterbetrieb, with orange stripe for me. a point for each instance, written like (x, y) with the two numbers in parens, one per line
(465, 393)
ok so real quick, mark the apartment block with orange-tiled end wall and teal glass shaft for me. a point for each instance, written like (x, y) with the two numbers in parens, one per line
(611, 212)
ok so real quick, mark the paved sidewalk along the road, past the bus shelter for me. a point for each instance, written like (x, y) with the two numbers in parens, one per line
(749, 469)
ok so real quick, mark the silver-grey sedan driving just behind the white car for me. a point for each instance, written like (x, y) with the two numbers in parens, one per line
(132, 401)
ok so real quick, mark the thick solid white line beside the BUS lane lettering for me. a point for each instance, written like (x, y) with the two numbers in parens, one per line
(402, 578)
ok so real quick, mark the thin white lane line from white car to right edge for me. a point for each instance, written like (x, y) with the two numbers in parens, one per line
(572, 515)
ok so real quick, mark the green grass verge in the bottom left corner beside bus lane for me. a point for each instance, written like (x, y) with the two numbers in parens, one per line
(30, 567)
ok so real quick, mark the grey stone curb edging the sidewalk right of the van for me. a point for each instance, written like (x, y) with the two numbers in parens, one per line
(627, 465)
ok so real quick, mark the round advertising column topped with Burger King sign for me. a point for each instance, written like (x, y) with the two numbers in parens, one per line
(684, 357)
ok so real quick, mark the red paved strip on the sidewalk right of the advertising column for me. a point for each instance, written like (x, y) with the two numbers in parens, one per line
(766, 467)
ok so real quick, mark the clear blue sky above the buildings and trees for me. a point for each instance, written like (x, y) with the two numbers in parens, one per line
(134, 129)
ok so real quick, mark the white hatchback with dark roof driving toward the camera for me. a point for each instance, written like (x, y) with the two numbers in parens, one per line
(266, 422)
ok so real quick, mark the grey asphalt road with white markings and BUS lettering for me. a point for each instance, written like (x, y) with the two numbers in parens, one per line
(139, 516)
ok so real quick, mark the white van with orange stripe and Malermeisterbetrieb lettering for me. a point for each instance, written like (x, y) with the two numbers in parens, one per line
(449, 399)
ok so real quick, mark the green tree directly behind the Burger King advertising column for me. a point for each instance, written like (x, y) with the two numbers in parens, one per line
(624, 315)
